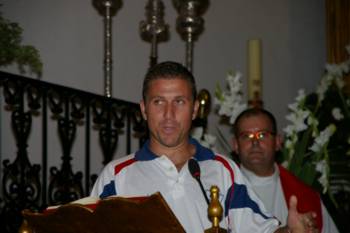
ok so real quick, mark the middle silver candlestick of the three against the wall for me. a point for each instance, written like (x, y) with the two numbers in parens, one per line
(154, 29)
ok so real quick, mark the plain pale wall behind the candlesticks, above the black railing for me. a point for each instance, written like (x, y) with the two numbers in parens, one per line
(69, 37)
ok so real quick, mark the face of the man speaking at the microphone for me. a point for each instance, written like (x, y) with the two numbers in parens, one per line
(169, 110)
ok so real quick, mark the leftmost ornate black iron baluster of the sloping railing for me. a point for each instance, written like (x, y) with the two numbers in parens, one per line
(21, 182)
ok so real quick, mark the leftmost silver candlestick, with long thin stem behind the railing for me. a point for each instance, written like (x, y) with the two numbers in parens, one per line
(107, 8)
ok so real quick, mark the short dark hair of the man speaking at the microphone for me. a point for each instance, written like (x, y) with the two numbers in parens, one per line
(168, 70)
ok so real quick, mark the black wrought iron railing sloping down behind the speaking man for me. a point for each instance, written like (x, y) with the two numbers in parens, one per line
(51, 139)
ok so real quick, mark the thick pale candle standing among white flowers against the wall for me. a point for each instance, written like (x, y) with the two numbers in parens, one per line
(254, 69)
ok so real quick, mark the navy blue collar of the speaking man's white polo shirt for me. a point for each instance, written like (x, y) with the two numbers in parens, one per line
(202, 153)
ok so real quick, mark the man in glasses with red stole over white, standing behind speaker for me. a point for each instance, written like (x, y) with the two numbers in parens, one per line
(256, 142)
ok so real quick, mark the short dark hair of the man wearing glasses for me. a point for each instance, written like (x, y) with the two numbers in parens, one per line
(254, 112)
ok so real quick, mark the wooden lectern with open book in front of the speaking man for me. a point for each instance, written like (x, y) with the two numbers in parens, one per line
(111, 215)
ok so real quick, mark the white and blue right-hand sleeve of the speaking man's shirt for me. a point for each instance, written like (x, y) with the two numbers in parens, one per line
(246, 211)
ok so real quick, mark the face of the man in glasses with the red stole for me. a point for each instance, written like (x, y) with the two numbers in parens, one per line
(256, 144)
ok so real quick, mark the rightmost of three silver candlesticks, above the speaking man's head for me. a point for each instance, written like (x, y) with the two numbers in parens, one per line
(190, 23)
